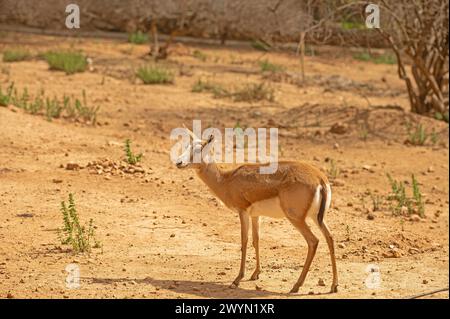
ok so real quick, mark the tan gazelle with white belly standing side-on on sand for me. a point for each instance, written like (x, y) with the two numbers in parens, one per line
(295, 191)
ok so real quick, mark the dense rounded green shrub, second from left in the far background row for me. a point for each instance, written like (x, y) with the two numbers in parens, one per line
(68, 61)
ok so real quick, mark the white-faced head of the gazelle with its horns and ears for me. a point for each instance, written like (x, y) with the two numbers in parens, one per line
(197, 149)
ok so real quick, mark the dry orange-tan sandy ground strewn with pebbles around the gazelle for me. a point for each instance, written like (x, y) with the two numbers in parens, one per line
(163, 234)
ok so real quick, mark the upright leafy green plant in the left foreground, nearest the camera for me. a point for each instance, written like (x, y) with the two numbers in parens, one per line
(81, 238)
